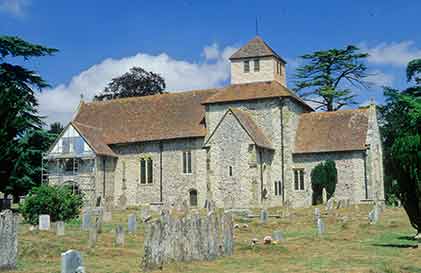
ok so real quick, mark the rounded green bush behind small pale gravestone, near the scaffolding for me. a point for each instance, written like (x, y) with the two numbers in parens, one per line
(58, 202)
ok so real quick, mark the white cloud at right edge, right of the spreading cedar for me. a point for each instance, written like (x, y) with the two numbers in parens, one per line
(396, 54)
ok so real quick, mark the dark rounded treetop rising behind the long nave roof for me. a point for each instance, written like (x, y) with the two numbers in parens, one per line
(135, 83)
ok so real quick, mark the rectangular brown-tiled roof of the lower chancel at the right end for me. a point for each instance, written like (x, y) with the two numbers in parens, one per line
(344, 130)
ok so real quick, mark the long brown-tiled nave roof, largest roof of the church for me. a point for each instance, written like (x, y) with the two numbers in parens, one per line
(158, 117)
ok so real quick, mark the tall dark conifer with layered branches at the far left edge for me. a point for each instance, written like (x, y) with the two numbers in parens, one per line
(18, 104)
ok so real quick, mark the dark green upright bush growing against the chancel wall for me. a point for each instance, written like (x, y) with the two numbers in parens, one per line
(325, 175)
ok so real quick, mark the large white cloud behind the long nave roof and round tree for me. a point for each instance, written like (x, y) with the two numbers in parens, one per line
(58, 103)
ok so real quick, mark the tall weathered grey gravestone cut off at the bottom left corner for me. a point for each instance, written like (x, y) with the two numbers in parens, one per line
(8, 240)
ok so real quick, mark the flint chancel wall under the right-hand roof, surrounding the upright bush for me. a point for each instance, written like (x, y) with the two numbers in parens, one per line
(350, 167)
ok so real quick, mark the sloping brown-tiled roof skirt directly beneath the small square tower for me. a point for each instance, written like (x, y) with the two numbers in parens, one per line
(253, 91)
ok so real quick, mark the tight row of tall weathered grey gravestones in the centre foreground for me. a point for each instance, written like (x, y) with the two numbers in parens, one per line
(191, 237)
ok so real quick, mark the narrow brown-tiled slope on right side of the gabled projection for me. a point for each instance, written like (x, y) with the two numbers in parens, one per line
(252, 129)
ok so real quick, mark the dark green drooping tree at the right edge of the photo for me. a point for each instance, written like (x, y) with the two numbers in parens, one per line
(401, 132)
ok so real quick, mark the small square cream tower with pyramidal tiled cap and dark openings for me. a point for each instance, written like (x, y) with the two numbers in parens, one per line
(257, 62)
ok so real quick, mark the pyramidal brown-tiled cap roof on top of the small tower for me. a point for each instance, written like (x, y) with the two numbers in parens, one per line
(256, 47)
